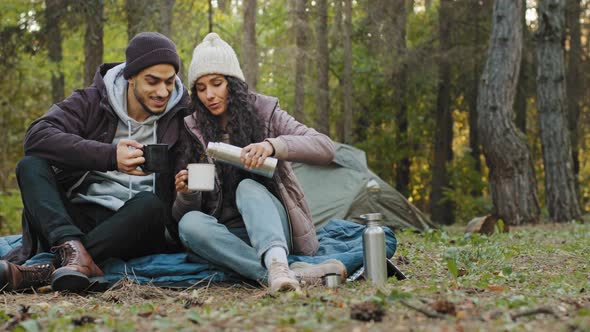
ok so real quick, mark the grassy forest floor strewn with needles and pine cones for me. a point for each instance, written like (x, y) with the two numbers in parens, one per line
(534, 278)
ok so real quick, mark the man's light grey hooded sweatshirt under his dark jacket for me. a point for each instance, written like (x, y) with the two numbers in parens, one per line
(113, 188)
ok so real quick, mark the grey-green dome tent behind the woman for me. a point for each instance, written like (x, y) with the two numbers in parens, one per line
(347, 188)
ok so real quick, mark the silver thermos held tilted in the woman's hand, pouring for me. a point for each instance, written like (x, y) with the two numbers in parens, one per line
(230, 154)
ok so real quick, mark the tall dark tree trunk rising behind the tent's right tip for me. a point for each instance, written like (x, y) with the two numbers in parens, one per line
(442, 211)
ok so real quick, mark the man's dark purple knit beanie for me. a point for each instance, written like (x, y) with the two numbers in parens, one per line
(148, 49)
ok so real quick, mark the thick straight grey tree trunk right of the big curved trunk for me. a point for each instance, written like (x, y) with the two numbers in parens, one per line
(562, 200)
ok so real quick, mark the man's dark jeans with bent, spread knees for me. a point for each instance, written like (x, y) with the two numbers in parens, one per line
(136, 229)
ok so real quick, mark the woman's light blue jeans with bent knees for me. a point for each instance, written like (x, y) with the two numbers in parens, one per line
(240, 249)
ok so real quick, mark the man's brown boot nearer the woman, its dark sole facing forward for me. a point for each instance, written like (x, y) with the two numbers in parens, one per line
(76, 268)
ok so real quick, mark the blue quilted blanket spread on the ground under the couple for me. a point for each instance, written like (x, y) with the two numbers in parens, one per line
(339, 239)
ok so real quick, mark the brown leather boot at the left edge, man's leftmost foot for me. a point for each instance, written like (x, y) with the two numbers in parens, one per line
(19, 277)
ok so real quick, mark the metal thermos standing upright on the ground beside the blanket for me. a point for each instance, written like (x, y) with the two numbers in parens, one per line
(374, 255)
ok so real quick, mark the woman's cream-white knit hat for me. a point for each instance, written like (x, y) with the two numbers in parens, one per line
(214, 56)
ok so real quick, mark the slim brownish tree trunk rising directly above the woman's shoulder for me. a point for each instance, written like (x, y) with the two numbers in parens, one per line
(300, 58)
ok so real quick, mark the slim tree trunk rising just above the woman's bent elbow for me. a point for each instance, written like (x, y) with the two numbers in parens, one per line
(323, 97)
